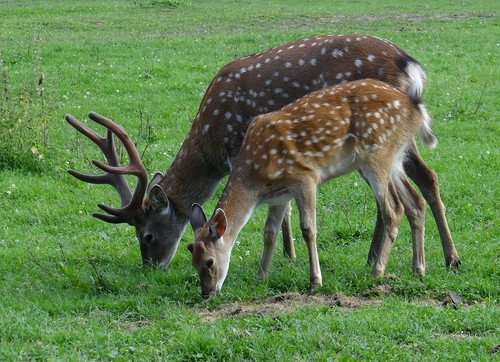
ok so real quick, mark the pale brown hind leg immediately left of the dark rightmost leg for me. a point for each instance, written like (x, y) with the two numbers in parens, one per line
(414, 208)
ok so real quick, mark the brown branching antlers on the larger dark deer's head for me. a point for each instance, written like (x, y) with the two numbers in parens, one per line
(131, 204)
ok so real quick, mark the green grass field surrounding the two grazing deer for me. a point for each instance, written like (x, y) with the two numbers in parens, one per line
(72, 287)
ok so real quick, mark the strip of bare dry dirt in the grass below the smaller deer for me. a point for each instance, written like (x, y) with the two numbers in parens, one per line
(287, 303)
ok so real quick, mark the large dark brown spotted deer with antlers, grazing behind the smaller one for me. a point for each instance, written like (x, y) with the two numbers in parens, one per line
(242, 89)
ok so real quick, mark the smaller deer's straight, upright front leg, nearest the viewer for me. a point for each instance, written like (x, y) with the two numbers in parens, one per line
(306, 203)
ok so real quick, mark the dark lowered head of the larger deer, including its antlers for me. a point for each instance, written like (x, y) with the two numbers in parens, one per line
(148, 215)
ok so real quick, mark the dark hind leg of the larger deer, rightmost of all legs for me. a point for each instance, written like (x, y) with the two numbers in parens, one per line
(427, 181)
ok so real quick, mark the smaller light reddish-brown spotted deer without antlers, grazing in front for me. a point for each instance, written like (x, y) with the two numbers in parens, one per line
(364, 125)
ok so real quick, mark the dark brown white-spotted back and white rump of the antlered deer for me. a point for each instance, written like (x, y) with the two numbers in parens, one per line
(268, 80)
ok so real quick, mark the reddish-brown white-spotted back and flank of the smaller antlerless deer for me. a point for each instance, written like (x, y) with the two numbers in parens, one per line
(330, 132)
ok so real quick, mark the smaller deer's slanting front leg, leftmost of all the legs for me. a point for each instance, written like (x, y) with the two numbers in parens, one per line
(275, 216)
